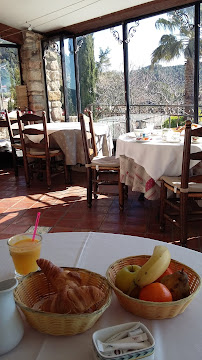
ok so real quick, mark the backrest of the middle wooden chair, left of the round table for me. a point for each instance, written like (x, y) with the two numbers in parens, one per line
(88, 136)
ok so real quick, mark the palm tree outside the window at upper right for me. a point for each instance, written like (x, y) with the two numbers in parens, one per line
(174, 45)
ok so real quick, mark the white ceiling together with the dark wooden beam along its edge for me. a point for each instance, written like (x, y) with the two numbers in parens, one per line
(73, 16)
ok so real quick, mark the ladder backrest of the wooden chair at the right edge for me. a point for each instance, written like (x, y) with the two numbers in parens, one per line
(187, 154)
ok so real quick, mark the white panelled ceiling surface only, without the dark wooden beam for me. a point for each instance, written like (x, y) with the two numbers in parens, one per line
(48, 15)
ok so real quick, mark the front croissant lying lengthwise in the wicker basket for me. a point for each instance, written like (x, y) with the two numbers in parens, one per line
(76, 300)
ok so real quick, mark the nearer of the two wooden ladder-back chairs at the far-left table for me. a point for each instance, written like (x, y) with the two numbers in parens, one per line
(38, 157)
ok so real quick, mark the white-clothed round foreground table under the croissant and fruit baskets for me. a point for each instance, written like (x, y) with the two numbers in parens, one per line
(177, 339)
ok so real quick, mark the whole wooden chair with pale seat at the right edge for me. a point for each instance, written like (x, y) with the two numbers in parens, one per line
(182, 208)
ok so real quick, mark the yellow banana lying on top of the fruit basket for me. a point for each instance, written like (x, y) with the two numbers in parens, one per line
(154, 267)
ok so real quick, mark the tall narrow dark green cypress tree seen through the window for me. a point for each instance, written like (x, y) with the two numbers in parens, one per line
(87, 71)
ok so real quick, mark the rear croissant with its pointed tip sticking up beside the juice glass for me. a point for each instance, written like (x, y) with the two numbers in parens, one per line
(57, 276)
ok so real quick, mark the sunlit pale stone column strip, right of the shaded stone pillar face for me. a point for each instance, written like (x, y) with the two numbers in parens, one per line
(53, 71)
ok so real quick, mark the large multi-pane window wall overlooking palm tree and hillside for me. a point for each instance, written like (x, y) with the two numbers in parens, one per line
(161, 55)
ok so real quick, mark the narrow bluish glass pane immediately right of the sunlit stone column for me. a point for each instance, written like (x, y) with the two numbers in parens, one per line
(70, 83)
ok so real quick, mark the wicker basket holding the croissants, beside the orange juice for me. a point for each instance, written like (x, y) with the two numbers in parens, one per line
(35, 286)
